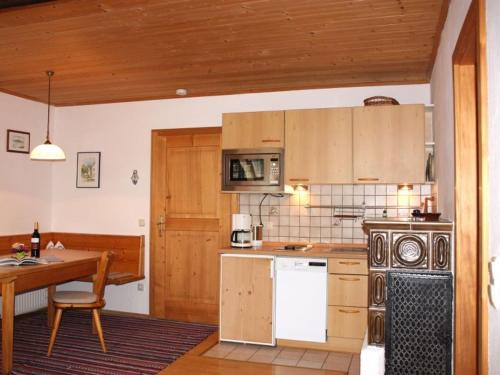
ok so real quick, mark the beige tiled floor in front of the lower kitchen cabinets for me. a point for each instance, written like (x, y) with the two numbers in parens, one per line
(343, 362)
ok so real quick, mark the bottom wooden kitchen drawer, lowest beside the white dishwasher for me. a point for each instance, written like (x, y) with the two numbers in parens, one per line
(347, 322)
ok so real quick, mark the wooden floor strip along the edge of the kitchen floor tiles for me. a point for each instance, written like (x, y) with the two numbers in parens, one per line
(194, 362)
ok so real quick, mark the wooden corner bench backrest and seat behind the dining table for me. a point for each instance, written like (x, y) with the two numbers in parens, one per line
(128, 251)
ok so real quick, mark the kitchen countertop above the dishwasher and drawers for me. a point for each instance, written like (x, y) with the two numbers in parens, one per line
(350, 251)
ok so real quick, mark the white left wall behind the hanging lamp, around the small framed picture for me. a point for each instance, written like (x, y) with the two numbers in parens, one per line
(25, 185)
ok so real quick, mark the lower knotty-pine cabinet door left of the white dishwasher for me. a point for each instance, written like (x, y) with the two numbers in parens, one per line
(246, 302)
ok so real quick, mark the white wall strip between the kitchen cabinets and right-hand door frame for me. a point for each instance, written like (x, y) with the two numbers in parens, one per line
(442, 98)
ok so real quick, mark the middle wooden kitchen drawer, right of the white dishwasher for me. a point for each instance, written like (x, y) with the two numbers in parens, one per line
(348, 290)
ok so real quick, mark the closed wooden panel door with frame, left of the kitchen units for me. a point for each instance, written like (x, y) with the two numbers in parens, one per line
(190, 222)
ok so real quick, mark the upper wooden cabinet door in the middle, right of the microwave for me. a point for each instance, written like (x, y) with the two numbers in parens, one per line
(318, 146)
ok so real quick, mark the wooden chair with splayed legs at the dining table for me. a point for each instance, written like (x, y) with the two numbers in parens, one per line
(83, 300)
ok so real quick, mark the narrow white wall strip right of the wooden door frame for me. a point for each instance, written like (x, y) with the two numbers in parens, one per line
(493, 61)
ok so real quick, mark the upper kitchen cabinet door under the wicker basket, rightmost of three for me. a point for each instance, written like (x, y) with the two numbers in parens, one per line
(388, 144)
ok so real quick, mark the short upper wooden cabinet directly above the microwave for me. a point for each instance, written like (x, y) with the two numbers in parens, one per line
(253, 129)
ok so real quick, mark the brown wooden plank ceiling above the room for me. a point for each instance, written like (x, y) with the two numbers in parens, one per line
(112, 50)
